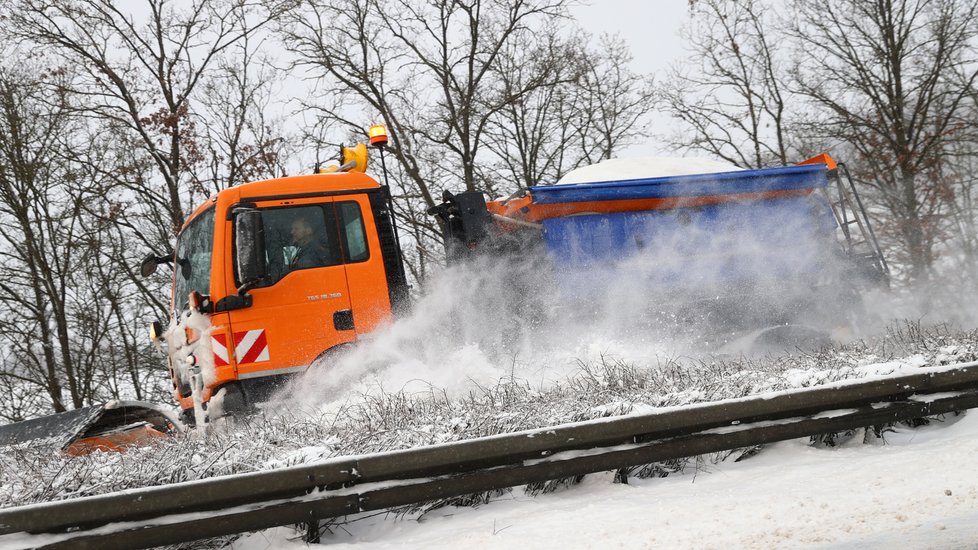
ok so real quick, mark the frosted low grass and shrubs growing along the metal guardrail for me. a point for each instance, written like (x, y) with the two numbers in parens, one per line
(371, 421)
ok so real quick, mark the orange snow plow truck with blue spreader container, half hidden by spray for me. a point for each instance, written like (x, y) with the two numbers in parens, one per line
(270, 276)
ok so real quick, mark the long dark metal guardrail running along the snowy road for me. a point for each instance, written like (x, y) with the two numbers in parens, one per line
(346, 485)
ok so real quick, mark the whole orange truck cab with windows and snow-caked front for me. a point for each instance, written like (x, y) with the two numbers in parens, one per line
(271, 275)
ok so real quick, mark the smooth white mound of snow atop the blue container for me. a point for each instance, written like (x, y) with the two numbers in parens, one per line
(645, 167)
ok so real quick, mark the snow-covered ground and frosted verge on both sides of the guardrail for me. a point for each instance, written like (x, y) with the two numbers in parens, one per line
(915, 488)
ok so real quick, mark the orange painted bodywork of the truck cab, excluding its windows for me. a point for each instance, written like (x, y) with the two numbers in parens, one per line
(290, 323)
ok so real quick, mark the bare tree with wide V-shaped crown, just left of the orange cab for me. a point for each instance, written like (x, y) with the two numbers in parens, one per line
(142, 73)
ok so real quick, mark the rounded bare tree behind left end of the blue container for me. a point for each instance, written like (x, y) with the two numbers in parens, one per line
(590, 106)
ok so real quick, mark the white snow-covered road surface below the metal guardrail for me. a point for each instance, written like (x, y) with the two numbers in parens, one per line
(918, 488)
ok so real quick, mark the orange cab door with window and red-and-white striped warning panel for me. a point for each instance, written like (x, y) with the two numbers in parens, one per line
(302, 308)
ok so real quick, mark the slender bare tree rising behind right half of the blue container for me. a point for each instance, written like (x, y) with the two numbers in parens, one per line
(730, 98)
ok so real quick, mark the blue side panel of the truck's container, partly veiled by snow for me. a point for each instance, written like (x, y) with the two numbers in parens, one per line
(695, 247)
